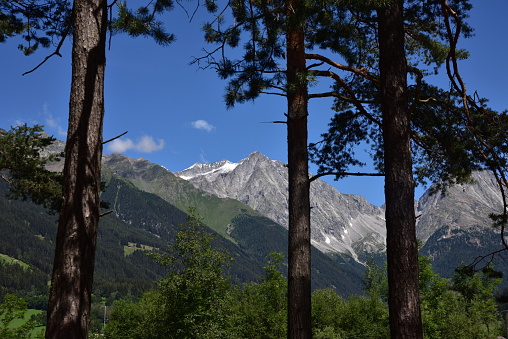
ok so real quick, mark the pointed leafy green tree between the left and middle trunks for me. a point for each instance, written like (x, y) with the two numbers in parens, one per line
(190, 302)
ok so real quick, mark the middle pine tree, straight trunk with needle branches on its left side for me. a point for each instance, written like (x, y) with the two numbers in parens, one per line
(276, 30)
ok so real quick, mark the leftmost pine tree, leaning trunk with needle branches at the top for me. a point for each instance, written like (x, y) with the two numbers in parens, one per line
(70, 294)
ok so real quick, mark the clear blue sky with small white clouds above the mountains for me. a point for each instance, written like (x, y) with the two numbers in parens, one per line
(174, 112)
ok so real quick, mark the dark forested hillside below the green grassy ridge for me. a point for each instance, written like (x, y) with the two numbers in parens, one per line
(141, 220)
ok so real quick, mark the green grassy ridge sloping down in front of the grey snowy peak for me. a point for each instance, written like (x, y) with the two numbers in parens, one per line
(254, 234)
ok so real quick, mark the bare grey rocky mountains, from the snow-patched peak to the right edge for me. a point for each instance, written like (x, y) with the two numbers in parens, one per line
(453, 227)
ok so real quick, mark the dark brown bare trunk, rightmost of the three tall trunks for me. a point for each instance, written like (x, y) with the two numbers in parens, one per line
(402, 247)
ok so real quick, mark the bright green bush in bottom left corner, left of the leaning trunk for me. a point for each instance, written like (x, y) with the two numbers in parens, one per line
(12, 319)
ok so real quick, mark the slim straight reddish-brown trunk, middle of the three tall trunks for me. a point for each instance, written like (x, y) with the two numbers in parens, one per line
(299, 288)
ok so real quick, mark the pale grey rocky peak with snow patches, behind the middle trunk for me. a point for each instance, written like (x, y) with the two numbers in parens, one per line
(339, 222)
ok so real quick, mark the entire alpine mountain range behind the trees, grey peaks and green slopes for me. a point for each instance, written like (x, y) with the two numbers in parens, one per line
(246, 203)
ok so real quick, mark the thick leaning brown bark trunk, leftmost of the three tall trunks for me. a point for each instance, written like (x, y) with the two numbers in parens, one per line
(71, 284)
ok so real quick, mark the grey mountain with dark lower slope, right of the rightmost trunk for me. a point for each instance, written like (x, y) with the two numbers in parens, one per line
(456, 227)
